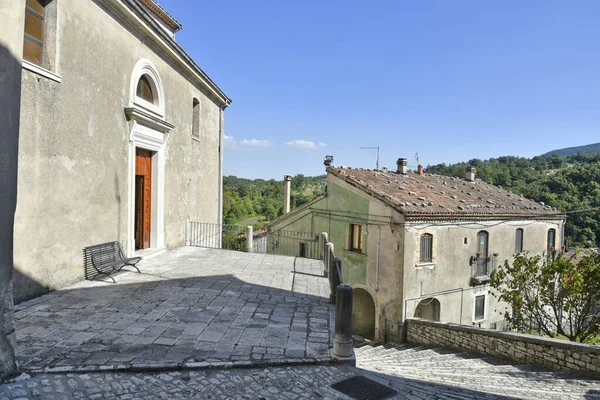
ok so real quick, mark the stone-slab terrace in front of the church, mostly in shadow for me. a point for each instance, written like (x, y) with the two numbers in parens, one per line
(187, 308)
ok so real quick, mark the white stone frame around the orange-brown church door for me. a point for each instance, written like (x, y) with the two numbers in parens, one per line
(146, 138)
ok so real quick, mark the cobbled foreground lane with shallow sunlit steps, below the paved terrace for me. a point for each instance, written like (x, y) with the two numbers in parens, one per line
(415, 373)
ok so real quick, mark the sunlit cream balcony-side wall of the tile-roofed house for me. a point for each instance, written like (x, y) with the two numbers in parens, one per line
(450, 268)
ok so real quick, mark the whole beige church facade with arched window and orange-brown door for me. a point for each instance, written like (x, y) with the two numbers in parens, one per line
(121, 136)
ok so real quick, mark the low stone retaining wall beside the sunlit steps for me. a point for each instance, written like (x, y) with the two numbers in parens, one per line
(555, 354)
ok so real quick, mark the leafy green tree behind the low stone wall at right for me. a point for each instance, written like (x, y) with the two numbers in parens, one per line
(561, 296)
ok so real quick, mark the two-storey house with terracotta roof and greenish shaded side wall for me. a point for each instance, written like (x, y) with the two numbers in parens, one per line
(416, 244)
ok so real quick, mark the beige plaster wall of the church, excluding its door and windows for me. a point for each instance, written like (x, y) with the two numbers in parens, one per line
(74, 150)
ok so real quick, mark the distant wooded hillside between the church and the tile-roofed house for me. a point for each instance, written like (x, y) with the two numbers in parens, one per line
(246, 198)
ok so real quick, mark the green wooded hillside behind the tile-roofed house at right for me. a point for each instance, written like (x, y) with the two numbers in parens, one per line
(567, 183)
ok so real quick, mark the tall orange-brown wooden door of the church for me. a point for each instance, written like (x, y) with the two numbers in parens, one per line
(143, 195)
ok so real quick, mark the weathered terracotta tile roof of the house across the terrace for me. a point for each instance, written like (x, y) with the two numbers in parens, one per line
(431, 195)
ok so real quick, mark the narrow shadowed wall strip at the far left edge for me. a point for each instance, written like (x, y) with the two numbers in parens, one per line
(11, 47)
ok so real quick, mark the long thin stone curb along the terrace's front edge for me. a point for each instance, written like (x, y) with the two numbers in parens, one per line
(155, 367)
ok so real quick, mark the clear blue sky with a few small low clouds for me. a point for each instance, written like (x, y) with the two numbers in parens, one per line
(451, 80)
